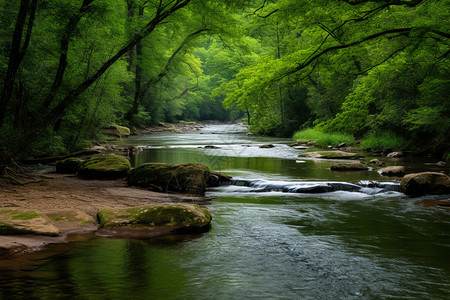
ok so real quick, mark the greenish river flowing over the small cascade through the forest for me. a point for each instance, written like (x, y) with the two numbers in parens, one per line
(285, 228)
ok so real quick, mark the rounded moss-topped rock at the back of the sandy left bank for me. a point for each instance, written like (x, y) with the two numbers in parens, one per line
(105, 166)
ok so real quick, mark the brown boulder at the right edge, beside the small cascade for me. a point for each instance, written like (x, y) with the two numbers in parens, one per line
(425, 183)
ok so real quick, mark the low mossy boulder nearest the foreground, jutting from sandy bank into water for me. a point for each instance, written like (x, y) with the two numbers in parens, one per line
(154, 220)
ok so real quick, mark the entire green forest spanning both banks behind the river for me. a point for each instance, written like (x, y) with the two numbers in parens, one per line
(69, 68)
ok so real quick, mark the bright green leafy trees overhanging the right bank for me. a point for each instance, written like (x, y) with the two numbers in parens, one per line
(367, 66)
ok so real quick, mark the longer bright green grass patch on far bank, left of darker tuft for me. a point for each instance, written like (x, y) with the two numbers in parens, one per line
(323, 138)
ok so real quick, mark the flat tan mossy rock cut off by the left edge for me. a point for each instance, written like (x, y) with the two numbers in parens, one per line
(19, 221)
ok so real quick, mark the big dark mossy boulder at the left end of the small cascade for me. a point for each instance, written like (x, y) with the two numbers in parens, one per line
(190, 178)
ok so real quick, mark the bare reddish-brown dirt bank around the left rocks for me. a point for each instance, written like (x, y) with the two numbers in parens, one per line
(67, 192)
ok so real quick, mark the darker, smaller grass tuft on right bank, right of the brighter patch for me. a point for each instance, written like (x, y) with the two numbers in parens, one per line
(382, 141)
